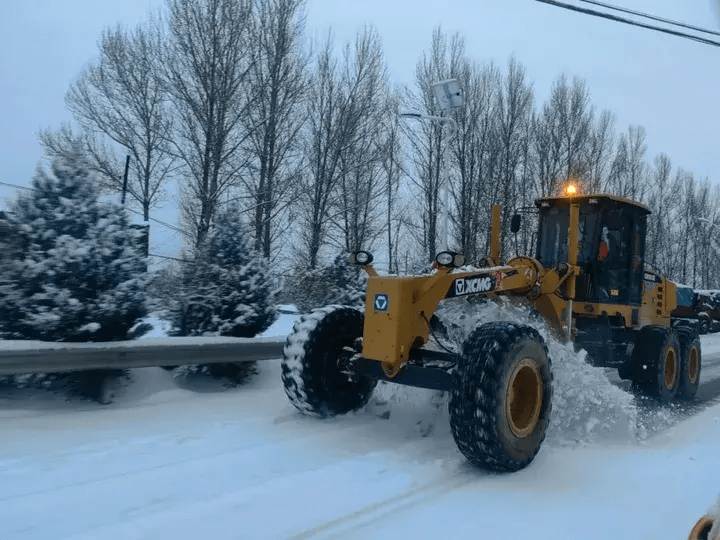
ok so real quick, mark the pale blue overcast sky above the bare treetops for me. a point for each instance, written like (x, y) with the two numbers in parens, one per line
(667, 84)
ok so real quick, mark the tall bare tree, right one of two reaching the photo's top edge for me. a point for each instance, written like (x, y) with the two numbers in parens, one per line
(279, 76)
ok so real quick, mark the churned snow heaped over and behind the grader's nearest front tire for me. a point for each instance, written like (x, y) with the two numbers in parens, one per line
(587, 407)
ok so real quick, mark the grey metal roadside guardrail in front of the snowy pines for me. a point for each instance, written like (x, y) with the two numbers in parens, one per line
(21, 357)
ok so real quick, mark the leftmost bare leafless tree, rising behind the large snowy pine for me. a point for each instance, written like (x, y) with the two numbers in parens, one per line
(121, 98)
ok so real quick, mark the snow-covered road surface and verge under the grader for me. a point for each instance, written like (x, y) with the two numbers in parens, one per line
(167, 462)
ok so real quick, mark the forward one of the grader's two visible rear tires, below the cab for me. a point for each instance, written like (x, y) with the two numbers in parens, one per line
(657, 347)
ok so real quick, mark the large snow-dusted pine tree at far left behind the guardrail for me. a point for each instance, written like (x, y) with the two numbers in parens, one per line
(77, 272)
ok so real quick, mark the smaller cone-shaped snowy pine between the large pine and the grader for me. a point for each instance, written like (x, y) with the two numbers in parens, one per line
(228, 285)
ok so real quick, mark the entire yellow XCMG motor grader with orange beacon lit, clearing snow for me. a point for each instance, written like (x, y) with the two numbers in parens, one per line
(589, 281)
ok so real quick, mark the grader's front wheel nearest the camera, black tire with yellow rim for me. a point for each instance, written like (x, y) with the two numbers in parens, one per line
(502, 397)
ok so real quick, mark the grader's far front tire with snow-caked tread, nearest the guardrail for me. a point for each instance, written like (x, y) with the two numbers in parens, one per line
(312, 373)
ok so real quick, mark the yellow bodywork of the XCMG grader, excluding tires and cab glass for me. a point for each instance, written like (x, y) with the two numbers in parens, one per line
(398, 310)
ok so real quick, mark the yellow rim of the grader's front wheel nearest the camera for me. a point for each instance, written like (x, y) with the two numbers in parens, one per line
(524, 398)
